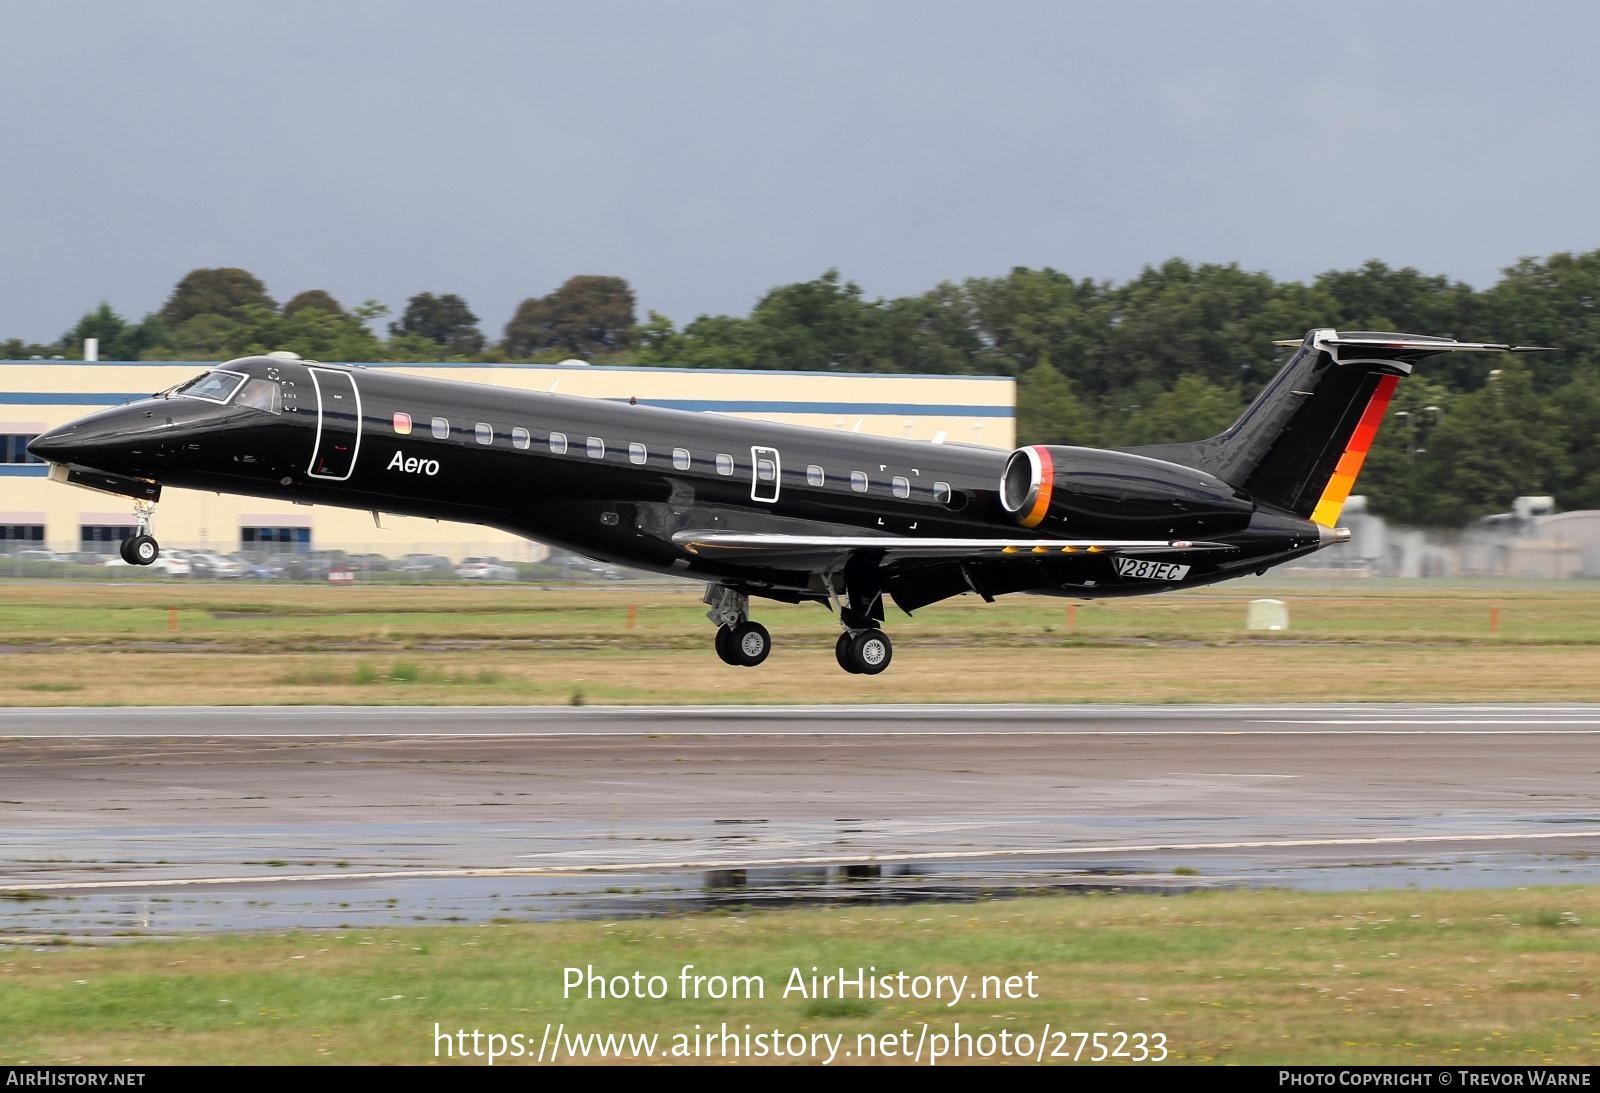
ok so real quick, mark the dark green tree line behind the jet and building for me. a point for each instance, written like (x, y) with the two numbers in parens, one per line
(1172, 354)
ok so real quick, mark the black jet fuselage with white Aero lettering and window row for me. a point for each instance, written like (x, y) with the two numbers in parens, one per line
(614, 481)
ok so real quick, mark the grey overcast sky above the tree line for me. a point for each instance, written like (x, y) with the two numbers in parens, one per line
(708, 151)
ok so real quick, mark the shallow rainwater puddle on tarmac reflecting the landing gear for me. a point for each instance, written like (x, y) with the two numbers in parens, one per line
(340, 903)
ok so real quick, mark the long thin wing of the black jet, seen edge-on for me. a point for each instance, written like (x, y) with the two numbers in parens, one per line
(770, 546)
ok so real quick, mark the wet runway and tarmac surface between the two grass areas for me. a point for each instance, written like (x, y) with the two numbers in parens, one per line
(180, 819)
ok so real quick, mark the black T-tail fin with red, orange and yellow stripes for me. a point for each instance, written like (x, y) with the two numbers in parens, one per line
(1305, 439)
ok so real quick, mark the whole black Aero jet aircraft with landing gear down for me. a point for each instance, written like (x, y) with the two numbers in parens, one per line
(759, 510)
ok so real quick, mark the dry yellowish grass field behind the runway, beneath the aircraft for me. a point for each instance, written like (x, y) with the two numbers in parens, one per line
(194, 644)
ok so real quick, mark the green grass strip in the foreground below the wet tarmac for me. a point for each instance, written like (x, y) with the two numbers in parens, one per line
(1402, 977)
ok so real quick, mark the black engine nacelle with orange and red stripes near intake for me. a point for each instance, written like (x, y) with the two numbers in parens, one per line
(1092, 492)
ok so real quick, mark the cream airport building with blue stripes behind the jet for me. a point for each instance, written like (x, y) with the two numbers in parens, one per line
(38, 396)
